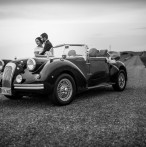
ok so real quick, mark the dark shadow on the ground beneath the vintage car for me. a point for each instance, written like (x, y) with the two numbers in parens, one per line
(45, 102)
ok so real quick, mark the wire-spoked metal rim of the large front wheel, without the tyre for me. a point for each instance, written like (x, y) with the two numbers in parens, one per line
(64, 89)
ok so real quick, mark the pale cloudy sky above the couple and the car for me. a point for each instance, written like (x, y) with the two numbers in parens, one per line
(120, 24)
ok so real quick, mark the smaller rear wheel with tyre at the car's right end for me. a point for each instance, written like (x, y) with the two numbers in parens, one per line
(120, 81)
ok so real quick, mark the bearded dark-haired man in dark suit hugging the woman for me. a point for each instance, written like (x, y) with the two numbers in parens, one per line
(47, 43)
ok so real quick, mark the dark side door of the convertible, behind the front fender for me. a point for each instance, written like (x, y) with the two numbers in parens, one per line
(98, 71)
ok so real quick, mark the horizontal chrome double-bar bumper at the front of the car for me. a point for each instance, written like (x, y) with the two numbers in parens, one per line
(29, 86)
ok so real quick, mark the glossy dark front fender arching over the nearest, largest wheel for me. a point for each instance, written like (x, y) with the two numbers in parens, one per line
(52, 71)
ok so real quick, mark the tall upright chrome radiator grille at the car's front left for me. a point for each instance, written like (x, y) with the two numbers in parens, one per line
(8, 75)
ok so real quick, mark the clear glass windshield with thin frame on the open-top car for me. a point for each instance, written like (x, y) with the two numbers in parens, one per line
(69, 51)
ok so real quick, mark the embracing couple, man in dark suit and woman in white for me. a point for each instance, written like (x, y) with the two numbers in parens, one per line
(43, 45)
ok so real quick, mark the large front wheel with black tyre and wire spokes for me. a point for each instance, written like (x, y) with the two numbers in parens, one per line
(64, 90)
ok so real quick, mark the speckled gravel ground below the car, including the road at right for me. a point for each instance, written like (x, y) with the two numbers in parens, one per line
(98, 117)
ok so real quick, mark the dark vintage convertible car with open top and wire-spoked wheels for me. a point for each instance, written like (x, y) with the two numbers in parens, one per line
(72, 68)
